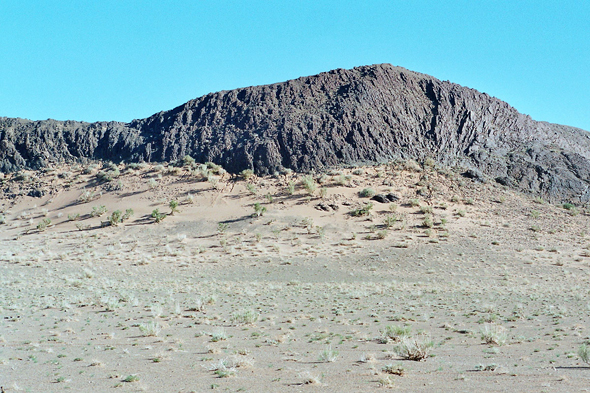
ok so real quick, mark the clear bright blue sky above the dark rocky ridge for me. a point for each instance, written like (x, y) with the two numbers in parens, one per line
(124, 59)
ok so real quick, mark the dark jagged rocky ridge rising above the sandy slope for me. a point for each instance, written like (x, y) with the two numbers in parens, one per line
(369, 114)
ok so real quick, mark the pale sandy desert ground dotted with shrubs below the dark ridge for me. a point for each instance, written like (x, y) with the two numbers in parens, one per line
(184, 278)
